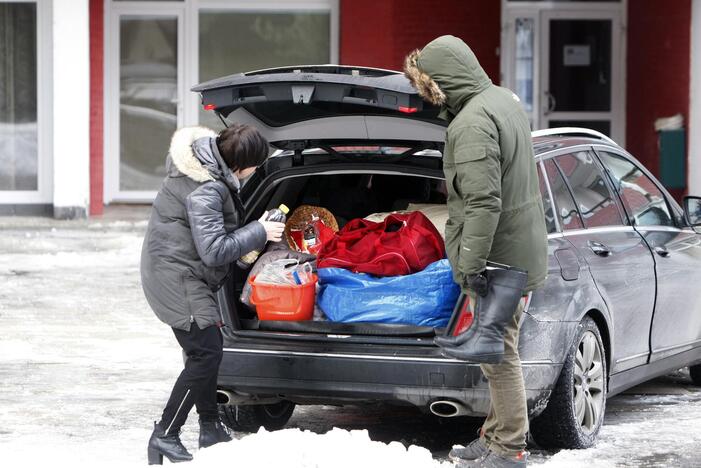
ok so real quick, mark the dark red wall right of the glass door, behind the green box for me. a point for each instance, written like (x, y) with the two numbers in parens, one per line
(659, 40)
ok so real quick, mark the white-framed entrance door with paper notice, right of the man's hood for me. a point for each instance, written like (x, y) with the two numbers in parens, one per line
(565, 64)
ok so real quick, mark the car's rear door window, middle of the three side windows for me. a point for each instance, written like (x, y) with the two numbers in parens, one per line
(593, 197)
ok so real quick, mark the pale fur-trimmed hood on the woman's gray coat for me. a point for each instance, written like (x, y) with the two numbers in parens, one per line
(194, 153)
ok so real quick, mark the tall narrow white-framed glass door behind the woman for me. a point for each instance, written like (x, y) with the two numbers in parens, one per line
(146, 95)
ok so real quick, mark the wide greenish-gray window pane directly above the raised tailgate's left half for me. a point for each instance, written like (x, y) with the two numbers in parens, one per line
(240, 41)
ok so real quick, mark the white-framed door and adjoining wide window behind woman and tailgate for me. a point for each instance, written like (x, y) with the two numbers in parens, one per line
(157, 51)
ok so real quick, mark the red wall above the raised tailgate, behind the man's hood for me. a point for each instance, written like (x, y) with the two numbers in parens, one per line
(380, 33)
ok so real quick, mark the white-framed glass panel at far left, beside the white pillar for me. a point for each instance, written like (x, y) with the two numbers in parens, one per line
(25, 151)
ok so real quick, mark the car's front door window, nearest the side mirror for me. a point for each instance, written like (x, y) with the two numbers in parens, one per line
(643, 201)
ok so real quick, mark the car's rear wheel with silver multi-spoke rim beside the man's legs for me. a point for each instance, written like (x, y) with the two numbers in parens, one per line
(574, 414)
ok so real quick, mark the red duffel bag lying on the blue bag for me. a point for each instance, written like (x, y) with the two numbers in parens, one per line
(400, 245)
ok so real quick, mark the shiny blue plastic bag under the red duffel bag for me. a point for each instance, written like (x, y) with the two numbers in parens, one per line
(425, 298)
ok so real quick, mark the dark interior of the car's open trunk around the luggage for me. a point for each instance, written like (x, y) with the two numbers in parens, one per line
(352, 193)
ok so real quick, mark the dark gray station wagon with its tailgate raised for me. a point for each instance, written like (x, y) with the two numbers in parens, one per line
(622, 303)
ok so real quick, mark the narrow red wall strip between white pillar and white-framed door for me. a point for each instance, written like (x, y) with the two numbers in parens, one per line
(96, 107)
